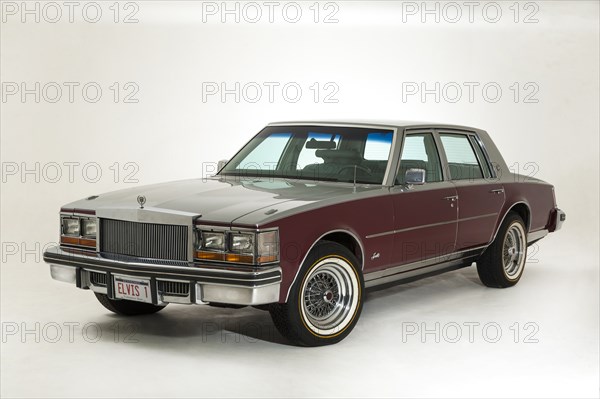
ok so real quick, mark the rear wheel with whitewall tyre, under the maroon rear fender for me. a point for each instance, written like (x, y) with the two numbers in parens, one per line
(503, 262)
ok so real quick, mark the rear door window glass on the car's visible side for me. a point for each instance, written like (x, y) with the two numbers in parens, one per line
(461, 157)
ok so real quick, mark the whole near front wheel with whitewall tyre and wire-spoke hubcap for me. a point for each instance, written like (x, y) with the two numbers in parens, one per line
(325, 302)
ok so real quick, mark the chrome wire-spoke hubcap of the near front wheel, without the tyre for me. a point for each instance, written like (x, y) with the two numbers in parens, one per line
(328, 296)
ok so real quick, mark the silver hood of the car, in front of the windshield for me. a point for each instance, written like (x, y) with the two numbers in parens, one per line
(218, 200)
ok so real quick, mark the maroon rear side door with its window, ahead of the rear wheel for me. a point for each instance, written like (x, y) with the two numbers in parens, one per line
(480, 196)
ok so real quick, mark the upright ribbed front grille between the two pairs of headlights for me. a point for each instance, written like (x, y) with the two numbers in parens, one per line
(144, 240)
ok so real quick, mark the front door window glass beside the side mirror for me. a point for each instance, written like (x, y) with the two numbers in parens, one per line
(419, 152)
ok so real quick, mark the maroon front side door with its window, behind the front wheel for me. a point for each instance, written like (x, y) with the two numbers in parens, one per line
(424, 215)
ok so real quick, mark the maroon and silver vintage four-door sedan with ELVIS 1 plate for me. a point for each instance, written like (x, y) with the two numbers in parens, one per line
(303, 219)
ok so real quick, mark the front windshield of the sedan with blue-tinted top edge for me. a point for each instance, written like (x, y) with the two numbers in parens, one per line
(319, 153)
